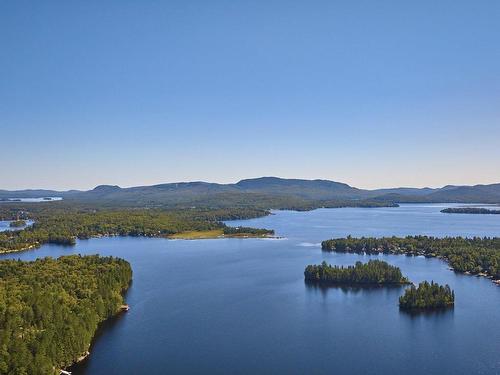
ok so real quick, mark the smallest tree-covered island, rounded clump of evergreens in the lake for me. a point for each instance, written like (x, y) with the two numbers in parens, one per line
(427, 296)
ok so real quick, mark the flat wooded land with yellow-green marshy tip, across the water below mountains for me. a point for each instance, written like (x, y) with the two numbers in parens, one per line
(64, 223)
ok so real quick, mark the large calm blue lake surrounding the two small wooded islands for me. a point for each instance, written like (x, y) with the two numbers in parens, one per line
(241, 306)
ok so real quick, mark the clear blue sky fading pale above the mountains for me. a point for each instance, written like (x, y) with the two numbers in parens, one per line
(371, 93)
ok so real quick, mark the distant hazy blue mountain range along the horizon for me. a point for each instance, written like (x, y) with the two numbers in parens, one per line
(271, 191)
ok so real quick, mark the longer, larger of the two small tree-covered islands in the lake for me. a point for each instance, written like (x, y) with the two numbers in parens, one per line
(373, 272)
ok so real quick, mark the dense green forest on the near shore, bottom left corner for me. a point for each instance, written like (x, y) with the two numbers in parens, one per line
(50, 309)
